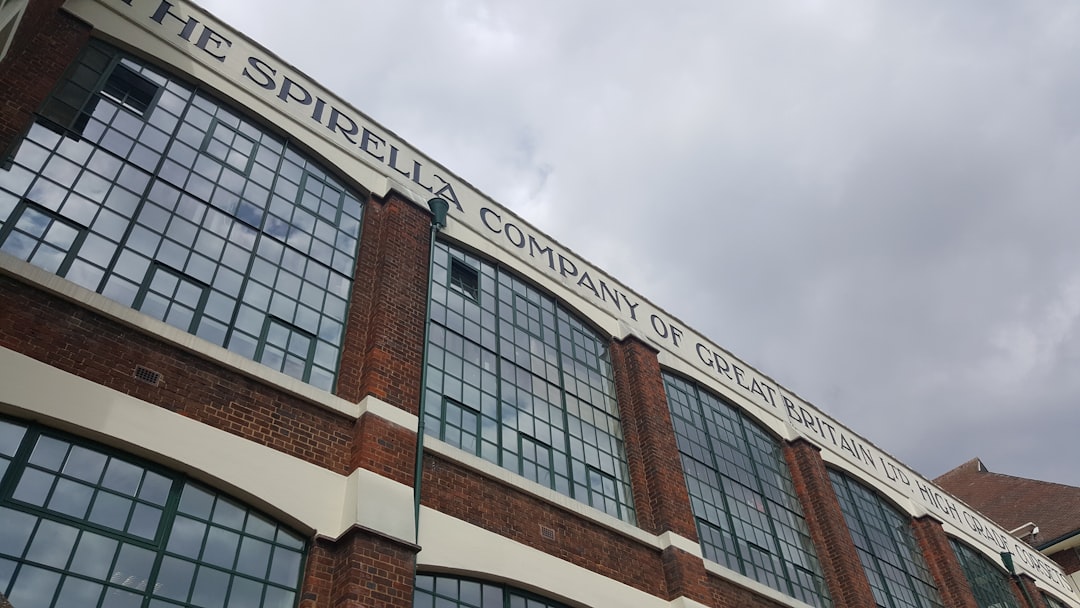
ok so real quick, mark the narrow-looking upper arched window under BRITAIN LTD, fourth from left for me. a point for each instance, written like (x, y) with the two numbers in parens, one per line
(887, 548)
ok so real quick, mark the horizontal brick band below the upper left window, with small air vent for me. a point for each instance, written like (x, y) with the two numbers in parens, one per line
(83, 343)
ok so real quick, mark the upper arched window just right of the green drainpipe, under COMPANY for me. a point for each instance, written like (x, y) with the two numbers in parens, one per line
(517, 380)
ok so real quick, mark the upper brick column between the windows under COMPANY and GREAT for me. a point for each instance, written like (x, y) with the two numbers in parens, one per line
(656, 472)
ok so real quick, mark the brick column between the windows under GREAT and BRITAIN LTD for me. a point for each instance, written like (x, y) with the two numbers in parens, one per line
(836, 551)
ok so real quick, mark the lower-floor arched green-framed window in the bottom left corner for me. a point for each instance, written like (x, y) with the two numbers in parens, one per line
(83, 528)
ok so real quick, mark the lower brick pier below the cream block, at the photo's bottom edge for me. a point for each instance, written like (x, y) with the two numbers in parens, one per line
(360, 571)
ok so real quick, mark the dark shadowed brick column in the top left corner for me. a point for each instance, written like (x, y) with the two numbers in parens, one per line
(47, 42)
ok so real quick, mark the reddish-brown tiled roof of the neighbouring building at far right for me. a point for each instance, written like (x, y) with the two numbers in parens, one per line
(1016, 502)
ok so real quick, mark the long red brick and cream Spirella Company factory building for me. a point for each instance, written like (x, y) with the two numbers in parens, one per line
(228, 314)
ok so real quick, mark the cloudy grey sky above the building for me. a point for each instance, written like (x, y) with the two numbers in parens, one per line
(874, 204)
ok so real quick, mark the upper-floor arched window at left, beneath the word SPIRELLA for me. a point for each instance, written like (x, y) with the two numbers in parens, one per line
(150, 192)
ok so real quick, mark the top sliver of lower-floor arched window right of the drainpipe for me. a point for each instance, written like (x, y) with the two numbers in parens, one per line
(452, 592)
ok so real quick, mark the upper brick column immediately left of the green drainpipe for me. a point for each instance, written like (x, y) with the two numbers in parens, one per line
(384, 346)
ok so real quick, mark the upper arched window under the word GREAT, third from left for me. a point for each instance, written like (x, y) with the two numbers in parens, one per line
(749, 517)
